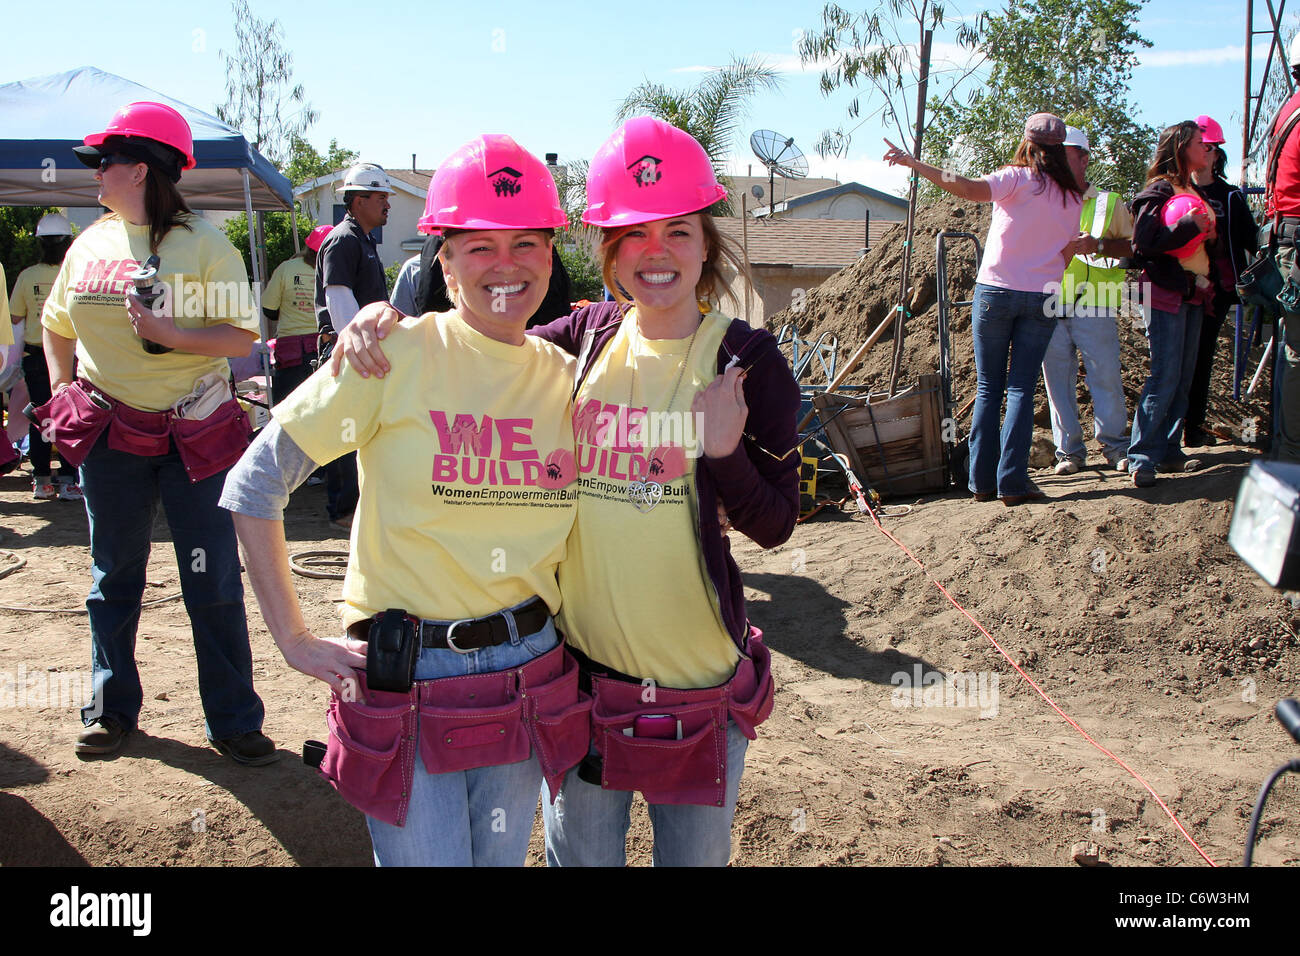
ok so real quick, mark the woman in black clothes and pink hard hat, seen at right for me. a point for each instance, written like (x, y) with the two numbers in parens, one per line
(1238, 240)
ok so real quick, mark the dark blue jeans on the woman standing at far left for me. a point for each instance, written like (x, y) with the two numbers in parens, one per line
(123, 494)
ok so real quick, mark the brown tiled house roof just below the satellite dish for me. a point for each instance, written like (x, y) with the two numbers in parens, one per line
(818, 244)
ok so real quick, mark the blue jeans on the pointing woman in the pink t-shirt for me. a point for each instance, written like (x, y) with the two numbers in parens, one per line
(1006, 323)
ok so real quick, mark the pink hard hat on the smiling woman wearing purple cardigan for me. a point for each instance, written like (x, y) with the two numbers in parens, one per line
(649, 170)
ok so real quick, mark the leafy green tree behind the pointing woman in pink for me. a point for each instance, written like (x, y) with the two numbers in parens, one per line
(1071, 58)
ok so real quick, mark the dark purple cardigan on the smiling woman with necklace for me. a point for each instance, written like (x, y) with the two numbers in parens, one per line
(760, 492)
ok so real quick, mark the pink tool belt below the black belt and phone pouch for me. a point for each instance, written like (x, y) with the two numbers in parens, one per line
(456, 724)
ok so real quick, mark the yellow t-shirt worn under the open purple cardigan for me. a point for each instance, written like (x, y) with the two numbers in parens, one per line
(636, 592)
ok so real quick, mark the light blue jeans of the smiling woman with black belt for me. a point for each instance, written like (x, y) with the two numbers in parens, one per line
(480, 817)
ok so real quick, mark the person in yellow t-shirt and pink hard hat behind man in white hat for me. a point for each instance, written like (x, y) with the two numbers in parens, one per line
(289, 304)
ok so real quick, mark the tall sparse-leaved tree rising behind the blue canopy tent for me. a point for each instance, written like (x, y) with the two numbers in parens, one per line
(262, 100)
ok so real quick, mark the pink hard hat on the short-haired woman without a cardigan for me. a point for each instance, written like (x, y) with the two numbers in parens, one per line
(492, 183)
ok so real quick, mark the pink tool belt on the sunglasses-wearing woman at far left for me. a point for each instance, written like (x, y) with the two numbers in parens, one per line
(81, 413)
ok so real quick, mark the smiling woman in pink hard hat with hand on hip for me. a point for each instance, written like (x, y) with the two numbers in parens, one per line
(453, 694)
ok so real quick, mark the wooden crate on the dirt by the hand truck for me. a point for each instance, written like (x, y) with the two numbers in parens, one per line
(892, 444)
